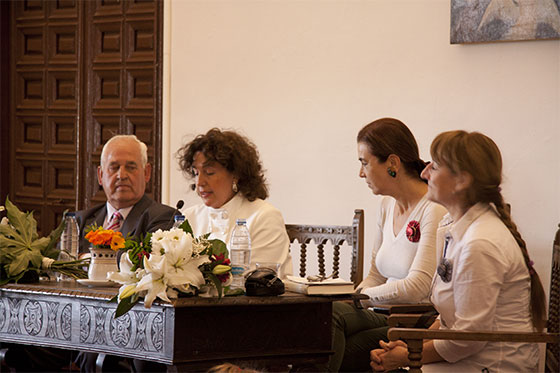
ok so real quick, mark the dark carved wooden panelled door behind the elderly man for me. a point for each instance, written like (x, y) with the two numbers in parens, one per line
(81, 71)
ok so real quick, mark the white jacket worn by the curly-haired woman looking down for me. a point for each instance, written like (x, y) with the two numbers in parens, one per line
(269, 239)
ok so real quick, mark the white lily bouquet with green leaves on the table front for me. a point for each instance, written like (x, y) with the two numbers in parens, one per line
(166, 263)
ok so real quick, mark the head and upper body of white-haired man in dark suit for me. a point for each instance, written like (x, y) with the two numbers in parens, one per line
(123, 174)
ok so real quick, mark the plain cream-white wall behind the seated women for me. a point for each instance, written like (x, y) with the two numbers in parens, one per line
(300, 78)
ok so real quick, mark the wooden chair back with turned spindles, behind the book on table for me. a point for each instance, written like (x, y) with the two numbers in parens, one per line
(350, 235)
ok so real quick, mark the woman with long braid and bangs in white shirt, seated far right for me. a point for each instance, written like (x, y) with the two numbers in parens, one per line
(485, 279)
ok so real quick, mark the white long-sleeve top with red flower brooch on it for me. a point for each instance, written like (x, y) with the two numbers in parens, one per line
(401, 270)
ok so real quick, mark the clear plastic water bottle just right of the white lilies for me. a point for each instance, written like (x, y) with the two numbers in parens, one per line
(240, 253)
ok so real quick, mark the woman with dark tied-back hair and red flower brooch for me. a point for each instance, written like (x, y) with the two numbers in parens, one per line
(403, 260)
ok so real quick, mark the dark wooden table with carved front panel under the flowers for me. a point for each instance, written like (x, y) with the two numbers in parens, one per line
(191, 333)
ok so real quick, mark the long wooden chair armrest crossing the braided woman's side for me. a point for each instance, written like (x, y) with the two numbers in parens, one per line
(497, 336)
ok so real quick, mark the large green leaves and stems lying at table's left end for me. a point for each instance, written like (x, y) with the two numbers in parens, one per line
(23, 255)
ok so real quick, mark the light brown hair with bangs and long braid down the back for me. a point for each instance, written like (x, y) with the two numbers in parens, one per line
(463, 151)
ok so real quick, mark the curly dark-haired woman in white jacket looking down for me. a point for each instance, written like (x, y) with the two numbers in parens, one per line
(228, 176)
